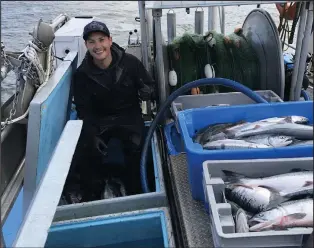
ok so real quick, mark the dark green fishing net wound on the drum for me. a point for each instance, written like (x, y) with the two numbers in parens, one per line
(231, 56)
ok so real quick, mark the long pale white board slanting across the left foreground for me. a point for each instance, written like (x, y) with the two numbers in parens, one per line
(34, 229)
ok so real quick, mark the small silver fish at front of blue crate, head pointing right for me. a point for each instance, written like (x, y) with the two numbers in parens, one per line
(271, 140)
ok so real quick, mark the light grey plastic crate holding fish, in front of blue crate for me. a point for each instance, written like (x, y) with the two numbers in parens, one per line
(222, 223)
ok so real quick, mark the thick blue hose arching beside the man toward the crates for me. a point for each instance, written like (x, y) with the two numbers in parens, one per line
(165, 105)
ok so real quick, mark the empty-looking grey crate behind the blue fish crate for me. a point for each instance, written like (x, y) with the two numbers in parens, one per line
(207, 100)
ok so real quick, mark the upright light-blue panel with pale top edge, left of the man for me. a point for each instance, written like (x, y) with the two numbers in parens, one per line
(45, 125)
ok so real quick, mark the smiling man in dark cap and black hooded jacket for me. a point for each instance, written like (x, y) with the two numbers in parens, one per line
(107, 89)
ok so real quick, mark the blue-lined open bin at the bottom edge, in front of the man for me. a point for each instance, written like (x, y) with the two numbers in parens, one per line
(146, 228)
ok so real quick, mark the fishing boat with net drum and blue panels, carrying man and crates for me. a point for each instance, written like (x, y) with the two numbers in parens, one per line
(40, 131)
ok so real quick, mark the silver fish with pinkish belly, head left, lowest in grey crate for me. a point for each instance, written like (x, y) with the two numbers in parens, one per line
(289, 214)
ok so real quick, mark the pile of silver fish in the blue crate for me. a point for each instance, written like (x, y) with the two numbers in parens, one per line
(265, 133)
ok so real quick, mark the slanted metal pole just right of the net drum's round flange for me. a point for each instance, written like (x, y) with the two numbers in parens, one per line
(298, 52)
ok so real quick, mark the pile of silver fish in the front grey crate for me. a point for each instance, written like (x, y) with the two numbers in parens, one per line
(271, 203)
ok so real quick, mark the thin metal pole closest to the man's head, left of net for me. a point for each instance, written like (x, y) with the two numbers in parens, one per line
(144, 46)
